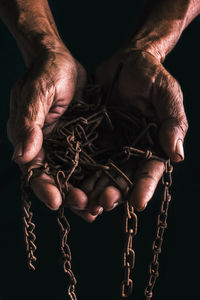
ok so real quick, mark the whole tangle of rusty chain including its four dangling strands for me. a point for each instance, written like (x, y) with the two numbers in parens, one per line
(77, 153)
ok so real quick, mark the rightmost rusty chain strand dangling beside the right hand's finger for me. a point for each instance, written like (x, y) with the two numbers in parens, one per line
(161, 226)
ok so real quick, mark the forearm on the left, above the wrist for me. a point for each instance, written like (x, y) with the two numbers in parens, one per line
(32, 25)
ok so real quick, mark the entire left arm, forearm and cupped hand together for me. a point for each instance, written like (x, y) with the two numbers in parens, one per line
(43, 93)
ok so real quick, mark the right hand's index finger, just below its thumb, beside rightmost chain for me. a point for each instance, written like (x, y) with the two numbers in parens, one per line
(145, 182)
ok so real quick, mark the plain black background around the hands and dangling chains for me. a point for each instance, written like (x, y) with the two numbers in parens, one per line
(93, 32)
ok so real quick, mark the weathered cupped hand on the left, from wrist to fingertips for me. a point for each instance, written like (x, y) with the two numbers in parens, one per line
(38, 99)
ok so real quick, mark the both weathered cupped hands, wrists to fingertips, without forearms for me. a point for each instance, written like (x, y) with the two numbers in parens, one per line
(44, 92)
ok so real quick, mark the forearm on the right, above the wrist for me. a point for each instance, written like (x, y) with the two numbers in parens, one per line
(162, 25)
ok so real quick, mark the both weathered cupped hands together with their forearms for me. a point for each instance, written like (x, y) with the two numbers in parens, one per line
(54, 78)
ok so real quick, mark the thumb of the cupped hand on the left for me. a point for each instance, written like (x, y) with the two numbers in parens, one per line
(24, 127)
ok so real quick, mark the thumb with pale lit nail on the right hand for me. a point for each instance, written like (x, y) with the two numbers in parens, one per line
(168, 103)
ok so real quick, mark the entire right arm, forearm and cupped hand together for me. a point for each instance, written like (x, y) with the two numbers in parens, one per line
(146, 85)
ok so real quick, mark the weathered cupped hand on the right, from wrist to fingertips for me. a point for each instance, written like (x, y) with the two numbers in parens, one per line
(146, 85)
